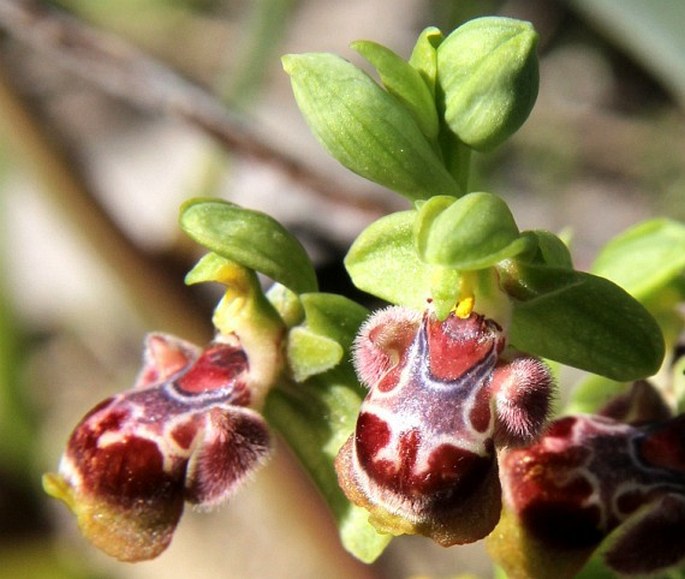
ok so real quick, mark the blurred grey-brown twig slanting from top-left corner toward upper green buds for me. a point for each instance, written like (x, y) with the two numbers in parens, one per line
(127, 73)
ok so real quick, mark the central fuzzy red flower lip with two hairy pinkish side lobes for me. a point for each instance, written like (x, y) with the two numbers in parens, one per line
(442, 397)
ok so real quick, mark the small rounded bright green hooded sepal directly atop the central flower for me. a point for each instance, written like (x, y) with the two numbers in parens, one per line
(470, 233)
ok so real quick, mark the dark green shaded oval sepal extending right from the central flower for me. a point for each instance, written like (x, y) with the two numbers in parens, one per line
(581, 320)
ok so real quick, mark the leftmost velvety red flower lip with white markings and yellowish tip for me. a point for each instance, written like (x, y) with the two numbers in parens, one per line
(185, 432)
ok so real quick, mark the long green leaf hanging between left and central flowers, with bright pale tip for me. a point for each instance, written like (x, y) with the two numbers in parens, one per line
(316, 418)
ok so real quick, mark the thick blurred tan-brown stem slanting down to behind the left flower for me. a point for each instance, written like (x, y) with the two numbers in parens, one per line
(160, 297)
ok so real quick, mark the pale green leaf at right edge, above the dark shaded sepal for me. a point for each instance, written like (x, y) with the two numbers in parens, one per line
(645, 258)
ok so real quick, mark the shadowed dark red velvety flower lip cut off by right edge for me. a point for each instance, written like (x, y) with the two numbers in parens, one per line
(590, 476)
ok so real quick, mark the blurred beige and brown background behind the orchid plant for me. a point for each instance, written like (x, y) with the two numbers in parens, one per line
(103, 134)
